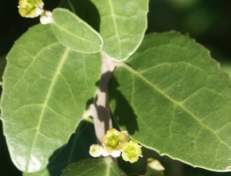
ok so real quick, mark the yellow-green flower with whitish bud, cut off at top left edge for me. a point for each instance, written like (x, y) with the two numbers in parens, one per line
(33, 9)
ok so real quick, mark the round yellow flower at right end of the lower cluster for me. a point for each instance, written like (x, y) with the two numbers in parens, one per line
(131, 152)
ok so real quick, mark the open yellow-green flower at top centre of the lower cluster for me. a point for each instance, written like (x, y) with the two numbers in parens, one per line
(114, 140)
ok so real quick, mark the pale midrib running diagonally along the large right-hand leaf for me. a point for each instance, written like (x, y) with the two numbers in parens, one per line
(179, 104)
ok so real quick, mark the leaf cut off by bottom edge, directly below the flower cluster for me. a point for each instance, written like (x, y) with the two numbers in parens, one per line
(96, 167)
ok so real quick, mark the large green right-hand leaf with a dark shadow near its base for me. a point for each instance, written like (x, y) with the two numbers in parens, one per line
(173, 97)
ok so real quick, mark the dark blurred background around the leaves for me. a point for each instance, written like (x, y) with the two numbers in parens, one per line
(208, 21)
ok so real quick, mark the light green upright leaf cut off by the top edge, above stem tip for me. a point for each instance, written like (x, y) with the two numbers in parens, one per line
(122, 26)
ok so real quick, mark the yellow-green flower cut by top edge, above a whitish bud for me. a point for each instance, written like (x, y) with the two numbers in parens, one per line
(30, 8)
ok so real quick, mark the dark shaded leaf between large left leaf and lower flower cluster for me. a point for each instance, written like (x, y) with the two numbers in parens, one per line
(76, 149)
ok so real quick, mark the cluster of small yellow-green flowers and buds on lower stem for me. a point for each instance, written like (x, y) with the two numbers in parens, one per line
(117, 143)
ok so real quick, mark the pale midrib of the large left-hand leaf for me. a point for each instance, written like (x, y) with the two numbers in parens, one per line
(46, 101)
